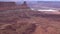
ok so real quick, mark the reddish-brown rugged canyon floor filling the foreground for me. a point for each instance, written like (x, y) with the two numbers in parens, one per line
(28, 22)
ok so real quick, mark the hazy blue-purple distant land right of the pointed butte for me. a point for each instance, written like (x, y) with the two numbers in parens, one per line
(51, 4)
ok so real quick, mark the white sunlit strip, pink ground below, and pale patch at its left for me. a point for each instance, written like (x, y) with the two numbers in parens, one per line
(47, 11)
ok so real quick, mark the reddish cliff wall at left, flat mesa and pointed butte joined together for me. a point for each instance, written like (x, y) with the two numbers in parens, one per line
(12, 6)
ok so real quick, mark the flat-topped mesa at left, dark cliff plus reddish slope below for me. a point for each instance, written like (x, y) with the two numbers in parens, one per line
(7, 5)
